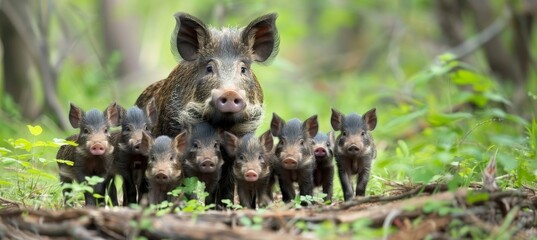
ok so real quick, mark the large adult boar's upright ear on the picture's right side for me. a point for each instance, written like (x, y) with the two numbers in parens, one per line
(262, 36)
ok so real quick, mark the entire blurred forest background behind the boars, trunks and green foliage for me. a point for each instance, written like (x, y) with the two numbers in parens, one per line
(454, 82)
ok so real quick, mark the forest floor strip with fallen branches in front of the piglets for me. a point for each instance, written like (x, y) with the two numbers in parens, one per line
(408, 213)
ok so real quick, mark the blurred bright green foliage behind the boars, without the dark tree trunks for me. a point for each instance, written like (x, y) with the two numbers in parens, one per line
(439, 119)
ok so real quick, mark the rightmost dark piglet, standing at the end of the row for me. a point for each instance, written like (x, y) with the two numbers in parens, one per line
(354, 149)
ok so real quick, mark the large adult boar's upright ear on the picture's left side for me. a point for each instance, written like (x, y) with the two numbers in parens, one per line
(189, 36)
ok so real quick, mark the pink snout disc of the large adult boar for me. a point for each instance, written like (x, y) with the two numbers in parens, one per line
(228, 101)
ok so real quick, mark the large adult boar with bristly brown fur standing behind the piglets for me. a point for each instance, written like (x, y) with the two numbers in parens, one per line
(214, 83)
